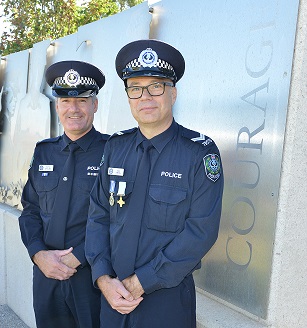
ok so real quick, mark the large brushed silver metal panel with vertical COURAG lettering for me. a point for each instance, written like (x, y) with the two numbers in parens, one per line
(235, 89)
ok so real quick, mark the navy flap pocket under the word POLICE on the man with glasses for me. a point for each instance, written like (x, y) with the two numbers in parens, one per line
(166, 208)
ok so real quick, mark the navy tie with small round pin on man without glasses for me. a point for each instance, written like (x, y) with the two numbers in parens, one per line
(55, 236)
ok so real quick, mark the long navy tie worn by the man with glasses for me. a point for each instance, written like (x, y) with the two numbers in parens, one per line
(124, 261)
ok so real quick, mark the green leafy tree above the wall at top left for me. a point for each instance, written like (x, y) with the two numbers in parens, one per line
(31, 21)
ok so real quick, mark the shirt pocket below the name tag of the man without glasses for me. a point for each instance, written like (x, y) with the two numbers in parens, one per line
(46, 188)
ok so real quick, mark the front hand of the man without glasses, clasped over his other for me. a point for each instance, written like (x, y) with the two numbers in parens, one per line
(49, 262)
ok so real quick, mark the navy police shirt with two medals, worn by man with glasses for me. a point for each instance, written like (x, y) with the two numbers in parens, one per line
(182, 208)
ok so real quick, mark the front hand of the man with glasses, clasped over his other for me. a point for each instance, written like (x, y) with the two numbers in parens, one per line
(119, 298)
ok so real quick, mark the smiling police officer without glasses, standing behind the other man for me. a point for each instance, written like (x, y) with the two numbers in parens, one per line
(56, 198)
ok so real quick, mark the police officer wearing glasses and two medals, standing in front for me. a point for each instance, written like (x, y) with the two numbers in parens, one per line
(155, 207)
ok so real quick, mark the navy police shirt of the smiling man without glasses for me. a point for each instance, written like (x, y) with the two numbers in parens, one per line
(40, 190)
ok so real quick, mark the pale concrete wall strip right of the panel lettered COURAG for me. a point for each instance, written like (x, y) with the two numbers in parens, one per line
(288, 294)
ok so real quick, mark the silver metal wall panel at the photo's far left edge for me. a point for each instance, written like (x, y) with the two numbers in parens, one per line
(14, 86)
